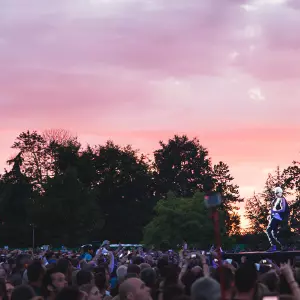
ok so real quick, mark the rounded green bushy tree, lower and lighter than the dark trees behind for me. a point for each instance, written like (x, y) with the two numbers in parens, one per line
(182, 219)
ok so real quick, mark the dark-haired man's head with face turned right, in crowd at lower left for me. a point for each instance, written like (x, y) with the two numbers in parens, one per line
(54, 282)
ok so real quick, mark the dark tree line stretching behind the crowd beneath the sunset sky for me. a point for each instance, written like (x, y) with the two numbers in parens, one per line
(74, 194)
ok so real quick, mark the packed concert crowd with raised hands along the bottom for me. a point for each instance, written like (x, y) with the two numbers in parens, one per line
(137, 274)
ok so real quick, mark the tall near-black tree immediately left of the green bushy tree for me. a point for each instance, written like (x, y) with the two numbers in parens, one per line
(123, 183)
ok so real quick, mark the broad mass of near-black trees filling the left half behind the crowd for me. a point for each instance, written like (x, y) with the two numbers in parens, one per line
(74, 194)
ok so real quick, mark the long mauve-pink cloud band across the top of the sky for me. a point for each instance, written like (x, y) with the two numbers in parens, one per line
(161, 38)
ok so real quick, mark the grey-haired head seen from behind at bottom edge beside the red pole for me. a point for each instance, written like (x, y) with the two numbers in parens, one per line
(206, 288)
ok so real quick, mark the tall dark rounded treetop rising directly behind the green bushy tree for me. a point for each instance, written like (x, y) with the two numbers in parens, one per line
(182, 166)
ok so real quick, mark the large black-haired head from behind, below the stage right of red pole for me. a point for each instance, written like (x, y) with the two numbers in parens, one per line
(246, 279)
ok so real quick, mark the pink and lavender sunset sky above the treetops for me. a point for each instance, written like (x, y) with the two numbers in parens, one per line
(137, 71)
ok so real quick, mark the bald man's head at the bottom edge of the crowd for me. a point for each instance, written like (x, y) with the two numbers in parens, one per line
(134, 289)
